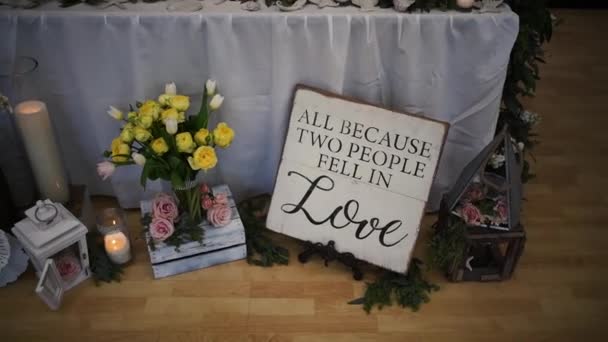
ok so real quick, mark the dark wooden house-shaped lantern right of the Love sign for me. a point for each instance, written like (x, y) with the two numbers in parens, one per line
(491, 250)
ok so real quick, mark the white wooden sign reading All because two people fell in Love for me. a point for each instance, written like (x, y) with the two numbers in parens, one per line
(356, 174)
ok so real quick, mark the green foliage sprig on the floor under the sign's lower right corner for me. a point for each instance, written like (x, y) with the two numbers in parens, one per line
(409, 290)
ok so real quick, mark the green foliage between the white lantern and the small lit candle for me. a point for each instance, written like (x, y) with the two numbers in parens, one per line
(102, 267)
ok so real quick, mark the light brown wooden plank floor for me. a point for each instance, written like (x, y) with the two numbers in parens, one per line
(559, 292)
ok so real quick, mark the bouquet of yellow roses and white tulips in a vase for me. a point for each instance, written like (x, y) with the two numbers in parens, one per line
(169, 144)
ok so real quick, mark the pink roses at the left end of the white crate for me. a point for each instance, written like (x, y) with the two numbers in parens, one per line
(164, 214)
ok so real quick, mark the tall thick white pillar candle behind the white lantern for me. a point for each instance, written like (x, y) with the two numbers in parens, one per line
(32, 119)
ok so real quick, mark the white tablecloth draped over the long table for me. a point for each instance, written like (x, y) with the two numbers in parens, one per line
(446, 65)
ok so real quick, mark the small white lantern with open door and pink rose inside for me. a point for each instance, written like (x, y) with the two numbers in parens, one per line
(56, 243)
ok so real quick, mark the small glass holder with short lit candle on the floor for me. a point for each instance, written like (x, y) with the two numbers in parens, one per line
(112, 224)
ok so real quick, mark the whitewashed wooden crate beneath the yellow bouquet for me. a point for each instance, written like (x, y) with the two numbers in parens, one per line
(220, 245)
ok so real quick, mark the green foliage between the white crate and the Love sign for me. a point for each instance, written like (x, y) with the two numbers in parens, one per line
(261, 250)
